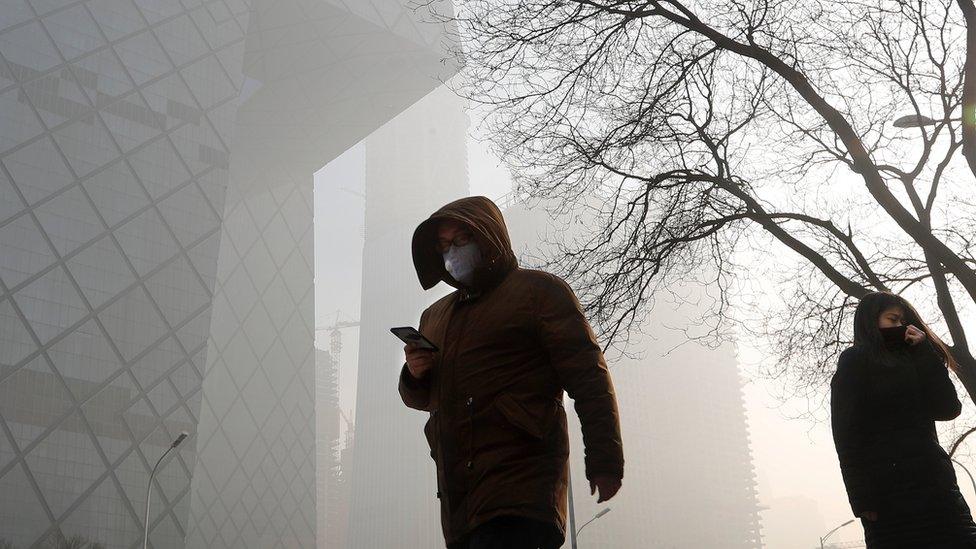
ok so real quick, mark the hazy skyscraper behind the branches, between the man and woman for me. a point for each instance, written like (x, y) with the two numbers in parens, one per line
(688, 481)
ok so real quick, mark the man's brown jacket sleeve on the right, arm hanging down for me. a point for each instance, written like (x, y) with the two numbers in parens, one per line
(582, 371)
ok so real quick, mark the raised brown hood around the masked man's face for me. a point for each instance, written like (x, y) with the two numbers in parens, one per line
(488, 228)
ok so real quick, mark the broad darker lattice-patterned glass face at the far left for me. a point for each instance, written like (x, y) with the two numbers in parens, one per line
(113, 164)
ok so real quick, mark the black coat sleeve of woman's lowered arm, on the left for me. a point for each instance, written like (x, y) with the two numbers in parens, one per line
(846, 414)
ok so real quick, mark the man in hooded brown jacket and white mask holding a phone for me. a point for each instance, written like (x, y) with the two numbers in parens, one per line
(510, 341)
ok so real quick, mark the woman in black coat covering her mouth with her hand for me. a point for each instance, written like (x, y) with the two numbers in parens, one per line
(889, 390)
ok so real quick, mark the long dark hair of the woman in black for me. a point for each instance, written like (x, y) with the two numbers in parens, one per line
(867, 335)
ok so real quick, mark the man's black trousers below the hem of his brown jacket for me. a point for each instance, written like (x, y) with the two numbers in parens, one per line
(511, 533)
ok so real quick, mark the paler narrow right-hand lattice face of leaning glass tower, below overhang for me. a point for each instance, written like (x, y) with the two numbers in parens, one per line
(256, 451)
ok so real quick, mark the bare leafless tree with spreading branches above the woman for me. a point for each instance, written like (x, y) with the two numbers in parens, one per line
(746, 145)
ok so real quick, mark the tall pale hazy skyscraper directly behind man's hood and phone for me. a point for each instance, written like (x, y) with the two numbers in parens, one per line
(414, 164)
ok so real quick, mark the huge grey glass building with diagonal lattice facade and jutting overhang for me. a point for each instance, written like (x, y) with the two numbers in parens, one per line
(156, 162)
